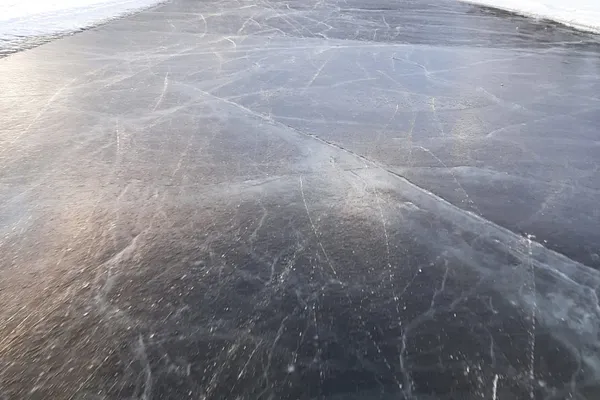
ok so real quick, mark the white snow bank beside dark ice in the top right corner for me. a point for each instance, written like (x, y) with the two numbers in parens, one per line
(579, 14)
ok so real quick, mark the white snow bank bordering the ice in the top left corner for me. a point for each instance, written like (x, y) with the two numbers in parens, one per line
(29, 22)
